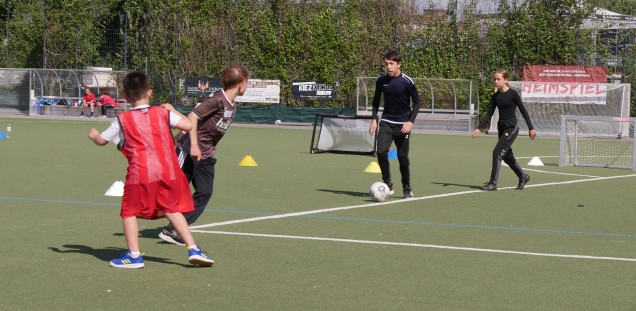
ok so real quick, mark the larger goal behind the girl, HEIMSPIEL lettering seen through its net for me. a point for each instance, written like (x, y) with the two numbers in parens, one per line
(546, 102)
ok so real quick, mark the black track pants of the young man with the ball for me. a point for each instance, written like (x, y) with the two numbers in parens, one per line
(387, 134)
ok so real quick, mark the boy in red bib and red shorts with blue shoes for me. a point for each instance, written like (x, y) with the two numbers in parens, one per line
(155, 186)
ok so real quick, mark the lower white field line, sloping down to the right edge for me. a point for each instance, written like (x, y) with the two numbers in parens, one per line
(471, 249)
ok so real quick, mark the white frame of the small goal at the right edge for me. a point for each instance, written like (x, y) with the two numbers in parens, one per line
(624, 134)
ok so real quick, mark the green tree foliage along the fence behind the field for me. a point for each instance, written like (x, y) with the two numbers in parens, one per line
(289, 40)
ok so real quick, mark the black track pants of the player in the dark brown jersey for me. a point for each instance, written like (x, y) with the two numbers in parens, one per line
(201, 174)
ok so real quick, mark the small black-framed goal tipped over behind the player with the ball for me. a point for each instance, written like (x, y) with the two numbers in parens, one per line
(342, 134)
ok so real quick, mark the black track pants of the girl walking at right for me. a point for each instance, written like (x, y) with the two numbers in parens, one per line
(503, 151)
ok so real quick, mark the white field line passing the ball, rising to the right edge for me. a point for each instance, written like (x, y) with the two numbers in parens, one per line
(342, 208)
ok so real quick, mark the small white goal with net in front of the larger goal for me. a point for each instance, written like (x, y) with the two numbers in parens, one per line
(597, 141)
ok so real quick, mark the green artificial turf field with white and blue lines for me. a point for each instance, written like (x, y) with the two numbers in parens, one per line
(299, 232)
